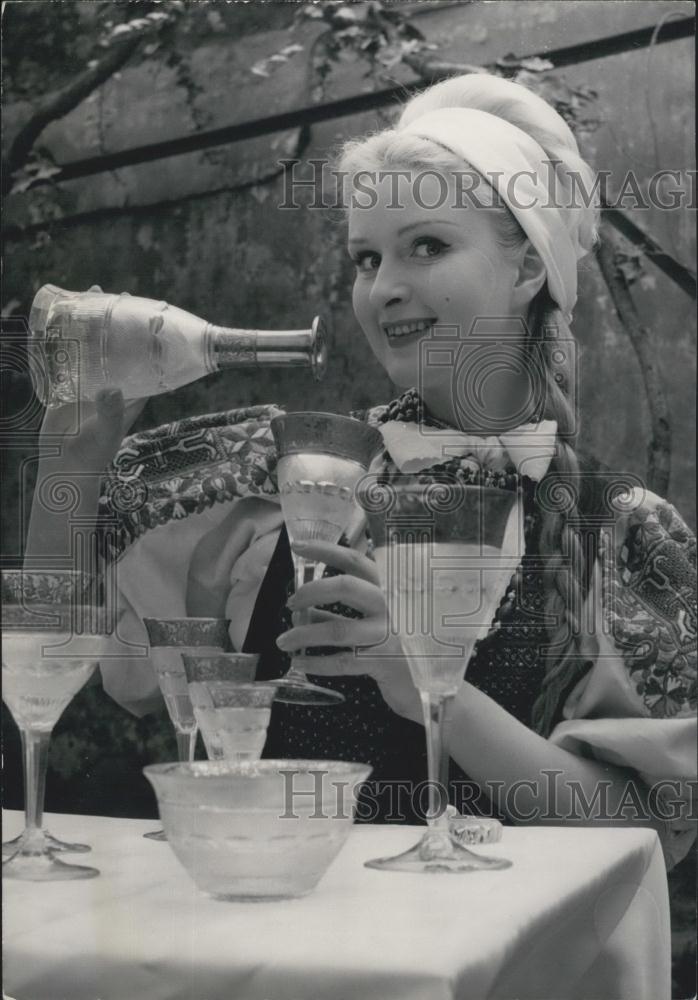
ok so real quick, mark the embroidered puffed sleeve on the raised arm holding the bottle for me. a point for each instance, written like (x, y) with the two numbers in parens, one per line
(189, 516)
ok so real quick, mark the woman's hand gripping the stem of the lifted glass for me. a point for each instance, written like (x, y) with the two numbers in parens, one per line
(373, 650)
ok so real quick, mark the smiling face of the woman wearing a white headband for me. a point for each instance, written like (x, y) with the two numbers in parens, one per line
(421, 267)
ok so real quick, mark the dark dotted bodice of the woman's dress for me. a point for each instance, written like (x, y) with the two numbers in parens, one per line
(506, 665)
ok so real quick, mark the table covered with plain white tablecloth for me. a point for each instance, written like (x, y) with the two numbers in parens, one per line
(582, 914)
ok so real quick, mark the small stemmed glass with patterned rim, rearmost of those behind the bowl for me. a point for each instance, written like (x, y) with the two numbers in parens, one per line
(169, 638)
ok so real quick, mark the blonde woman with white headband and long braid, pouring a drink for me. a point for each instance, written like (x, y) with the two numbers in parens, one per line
(467, 220)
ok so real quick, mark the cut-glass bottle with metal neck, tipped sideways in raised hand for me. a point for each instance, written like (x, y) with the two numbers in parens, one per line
(88, 340)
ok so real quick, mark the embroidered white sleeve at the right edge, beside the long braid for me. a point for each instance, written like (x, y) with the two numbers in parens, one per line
(636, 707)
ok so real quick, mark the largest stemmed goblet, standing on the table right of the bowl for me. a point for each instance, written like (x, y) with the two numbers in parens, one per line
(444, 552)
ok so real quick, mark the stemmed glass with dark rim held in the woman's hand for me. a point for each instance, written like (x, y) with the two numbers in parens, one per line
(322, 457)
